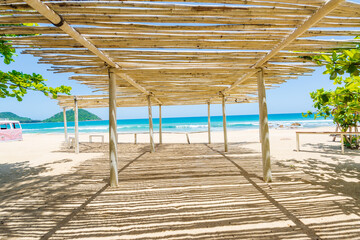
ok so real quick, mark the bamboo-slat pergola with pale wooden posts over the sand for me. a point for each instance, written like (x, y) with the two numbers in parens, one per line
(178, 52)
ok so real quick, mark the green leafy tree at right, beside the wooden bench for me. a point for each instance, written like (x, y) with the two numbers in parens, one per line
(343, 103)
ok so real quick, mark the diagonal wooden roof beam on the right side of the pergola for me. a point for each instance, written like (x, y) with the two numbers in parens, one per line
(315, 18)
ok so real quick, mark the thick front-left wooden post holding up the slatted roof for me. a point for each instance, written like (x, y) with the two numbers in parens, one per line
(113, 130)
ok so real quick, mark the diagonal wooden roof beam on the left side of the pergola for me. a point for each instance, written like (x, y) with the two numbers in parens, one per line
(58, 21)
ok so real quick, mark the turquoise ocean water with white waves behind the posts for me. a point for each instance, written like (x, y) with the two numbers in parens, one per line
(186, 124)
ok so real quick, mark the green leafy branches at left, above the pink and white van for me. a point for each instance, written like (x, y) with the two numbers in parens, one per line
(16, 84)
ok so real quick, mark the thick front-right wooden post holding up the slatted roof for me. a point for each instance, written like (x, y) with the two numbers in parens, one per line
(265, 142)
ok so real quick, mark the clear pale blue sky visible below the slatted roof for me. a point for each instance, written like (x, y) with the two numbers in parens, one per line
(290, 97)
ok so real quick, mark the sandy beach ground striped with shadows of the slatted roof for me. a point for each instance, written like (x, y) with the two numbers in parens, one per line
(181, 191)
